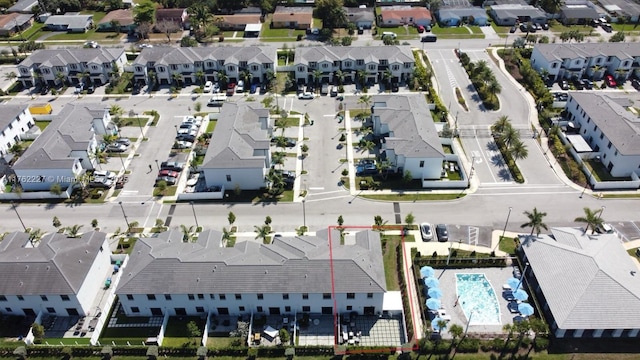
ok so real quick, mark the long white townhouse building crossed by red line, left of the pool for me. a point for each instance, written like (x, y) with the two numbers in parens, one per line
(290, 275)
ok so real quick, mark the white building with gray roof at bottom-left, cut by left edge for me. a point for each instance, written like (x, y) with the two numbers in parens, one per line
(57, 275)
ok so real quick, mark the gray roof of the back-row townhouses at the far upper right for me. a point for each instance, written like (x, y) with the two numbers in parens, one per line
(553, 52)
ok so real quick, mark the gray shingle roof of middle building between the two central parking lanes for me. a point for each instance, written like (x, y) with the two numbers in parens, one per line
(239, 138)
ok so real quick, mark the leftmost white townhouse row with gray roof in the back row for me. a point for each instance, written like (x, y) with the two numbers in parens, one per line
(52, 67)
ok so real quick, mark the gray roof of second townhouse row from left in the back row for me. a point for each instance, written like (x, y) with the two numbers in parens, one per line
(230, 54)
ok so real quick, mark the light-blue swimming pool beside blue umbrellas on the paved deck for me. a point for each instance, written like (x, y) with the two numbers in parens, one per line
(475, 294)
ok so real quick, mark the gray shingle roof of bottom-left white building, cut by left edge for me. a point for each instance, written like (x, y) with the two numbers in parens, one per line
(58, 265)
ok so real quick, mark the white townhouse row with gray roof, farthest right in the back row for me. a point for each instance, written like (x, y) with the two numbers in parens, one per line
(593, 60)
